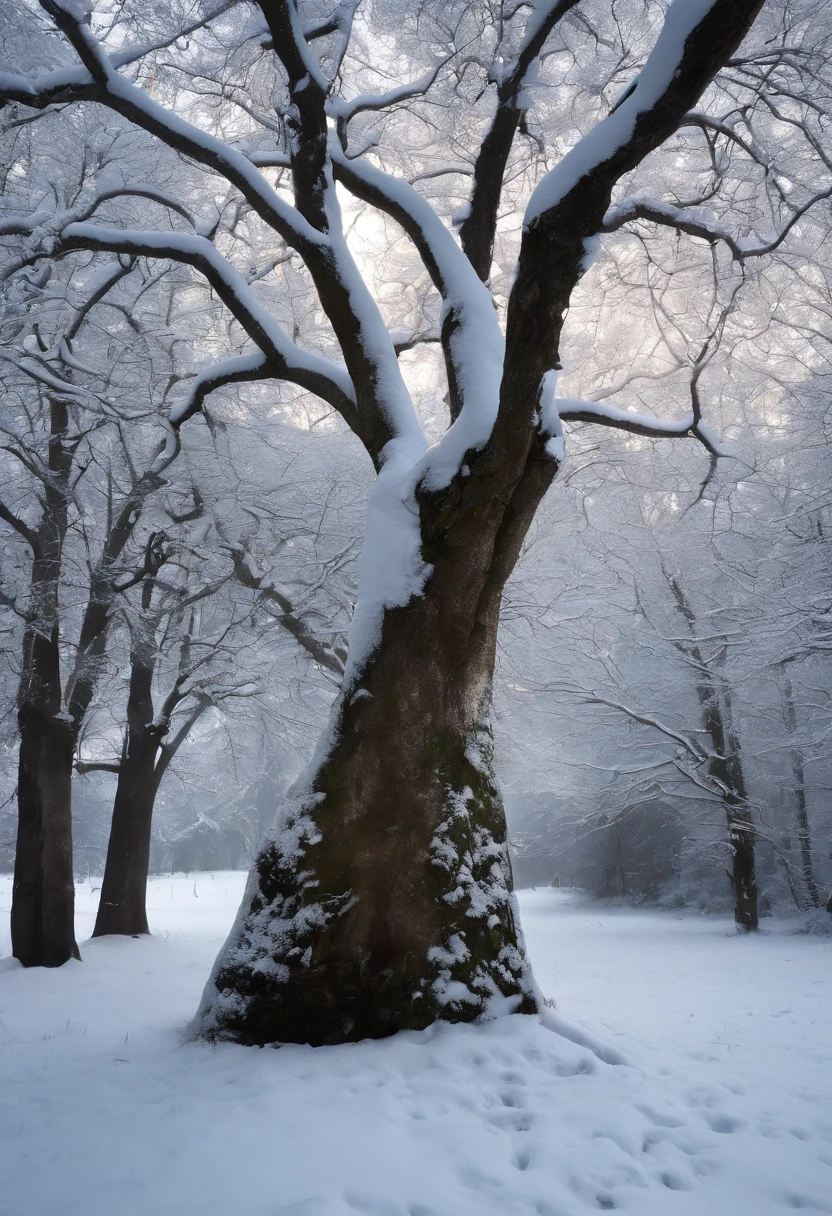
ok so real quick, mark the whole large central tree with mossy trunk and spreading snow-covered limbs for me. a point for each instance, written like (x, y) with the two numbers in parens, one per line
(384, 902)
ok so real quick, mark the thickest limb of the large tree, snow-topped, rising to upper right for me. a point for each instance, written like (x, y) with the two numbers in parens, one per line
(566, 211)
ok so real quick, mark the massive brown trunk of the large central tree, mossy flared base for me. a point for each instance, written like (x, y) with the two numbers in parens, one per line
(385, 900)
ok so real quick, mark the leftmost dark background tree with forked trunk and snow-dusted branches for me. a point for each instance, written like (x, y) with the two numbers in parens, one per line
(58, 431)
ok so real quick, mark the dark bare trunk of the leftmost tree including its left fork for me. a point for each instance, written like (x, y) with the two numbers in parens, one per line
(44, 892)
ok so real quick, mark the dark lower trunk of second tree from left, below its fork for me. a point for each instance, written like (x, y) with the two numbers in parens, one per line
(122, 907)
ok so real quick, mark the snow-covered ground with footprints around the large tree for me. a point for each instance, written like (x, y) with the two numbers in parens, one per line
(702, 1086)
